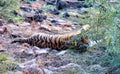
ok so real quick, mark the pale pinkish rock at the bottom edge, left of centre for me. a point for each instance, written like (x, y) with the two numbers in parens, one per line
(30, 67)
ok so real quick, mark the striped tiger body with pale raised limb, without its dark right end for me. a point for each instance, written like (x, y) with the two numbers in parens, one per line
(57, 41)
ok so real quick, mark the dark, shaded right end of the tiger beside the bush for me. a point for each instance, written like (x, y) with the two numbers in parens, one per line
(78, 43)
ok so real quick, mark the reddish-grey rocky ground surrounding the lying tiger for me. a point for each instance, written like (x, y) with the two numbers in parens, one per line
(52, 19)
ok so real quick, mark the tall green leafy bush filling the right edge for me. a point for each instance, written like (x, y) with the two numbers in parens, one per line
(107, 28)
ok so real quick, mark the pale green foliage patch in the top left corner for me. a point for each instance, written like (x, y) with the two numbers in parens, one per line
(7, 7)
